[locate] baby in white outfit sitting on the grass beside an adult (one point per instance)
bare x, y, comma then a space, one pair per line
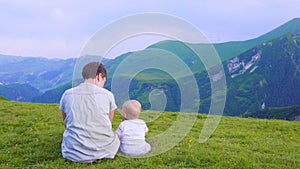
132, 131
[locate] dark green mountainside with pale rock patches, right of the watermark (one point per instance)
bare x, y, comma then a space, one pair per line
265, 76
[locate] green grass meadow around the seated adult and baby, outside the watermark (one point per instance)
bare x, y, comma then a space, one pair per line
31, 135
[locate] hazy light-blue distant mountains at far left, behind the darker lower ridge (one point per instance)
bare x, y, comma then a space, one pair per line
41, 73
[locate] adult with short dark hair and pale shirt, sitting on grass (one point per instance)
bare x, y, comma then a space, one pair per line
87, 112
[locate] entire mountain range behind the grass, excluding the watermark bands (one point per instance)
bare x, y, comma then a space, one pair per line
37, 79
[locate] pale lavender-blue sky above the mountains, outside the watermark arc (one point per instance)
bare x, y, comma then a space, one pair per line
61, 29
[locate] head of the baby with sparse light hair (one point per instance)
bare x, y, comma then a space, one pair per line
131, 109
